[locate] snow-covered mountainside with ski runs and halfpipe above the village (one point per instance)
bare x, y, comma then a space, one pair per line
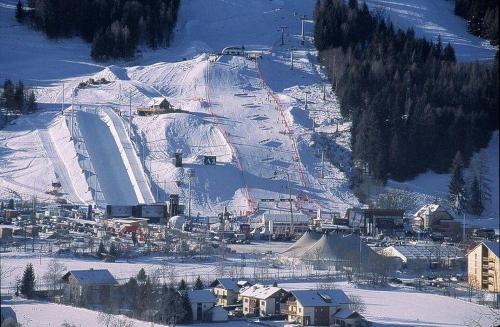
251, 115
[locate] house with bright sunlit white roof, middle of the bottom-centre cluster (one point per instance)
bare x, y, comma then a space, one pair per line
259, 300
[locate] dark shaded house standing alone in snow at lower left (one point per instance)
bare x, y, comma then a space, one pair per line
91, 287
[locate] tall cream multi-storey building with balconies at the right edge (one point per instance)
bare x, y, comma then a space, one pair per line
483, 266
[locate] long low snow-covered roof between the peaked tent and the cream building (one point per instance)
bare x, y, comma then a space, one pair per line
426, 251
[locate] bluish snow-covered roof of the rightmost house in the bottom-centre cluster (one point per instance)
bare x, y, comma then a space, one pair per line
320, 298
